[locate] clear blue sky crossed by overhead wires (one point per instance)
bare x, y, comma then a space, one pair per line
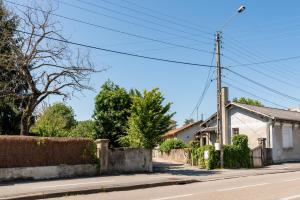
266, 30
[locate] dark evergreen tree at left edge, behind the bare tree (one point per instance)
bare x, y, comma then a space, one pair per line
10, 115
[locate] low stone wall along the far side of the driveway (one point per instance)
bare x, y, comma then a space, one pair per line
176, 155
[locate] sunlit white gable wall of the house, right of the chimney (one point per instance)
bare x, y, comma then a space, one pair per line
250, 124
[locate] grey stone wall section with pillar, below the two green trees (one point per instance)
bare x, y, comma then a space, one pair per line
123, 160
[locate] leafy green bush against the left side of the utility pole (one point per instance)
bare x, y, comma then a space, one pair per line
198, 156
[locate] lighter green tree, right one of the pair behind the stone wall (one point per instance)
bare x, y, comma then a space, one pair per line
149, 120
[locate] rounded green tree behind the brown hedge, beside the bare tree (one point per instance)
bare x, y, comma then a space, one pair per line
56, 120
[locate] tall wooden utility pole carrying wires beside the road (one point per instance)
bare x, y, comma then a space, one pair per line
219, 103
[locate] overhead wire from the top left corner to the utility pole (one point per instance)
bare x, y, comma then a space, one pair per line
114, 30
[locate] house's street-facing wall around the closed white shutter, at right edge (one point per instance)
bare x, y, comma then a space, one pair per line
283, 155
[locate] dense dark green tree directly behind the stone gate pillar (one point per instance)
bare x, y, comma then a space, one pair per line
112, 110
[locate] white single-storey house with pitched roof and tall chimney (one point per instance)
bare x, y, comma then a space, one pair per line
280, 128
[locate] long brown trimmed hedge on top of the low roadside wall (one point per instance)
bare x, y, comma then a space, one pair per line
27, 151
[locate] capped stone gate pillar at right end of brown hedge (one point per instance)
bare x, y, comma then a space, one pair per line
102, 154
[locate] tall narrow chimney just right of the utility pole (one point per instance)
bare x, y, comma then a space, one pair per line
225, 127
